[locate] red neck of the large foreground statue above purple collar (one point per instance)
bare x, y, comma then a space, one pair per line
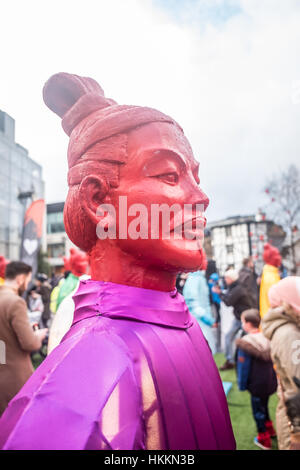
110, 264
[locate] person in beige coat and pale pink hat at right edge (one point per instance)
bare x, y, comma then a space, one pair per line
281, 325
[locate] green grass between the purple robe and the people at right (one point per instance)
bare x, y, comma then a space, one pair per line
243, 423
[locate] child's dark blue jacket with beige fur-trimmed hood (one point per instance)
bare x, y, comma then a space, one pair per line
255, 371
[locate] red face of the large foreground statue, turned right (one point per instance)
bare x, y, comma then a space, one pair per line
161, 169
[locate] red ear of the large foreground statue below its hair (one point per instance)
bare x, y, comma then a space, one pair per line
93, 190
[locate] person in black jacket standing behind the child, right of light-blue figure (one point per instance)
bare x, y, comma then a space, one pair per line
238, 298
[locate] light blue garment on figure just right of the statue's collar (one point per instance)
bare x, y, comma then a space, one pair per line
196, 294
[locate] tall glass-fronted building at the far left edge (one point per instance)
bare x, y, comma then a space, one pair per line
18, 174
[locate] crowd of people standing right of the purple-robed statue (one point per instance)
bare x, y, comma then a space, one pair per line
262, 342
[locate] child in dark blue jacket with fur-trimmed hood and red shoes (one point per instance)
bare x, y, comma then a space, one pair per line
256, 374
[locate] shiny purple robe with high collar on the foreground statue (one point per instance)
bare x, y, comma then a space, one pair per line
133, 372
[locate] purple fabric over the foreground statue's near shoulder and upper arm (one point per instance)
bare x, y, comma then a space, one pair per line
66, 403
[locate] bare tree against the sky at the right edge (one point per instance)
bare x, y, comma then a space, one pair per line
283, 191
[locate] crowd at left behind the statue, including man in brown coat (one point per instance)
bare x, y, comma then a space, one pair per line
27, 308
